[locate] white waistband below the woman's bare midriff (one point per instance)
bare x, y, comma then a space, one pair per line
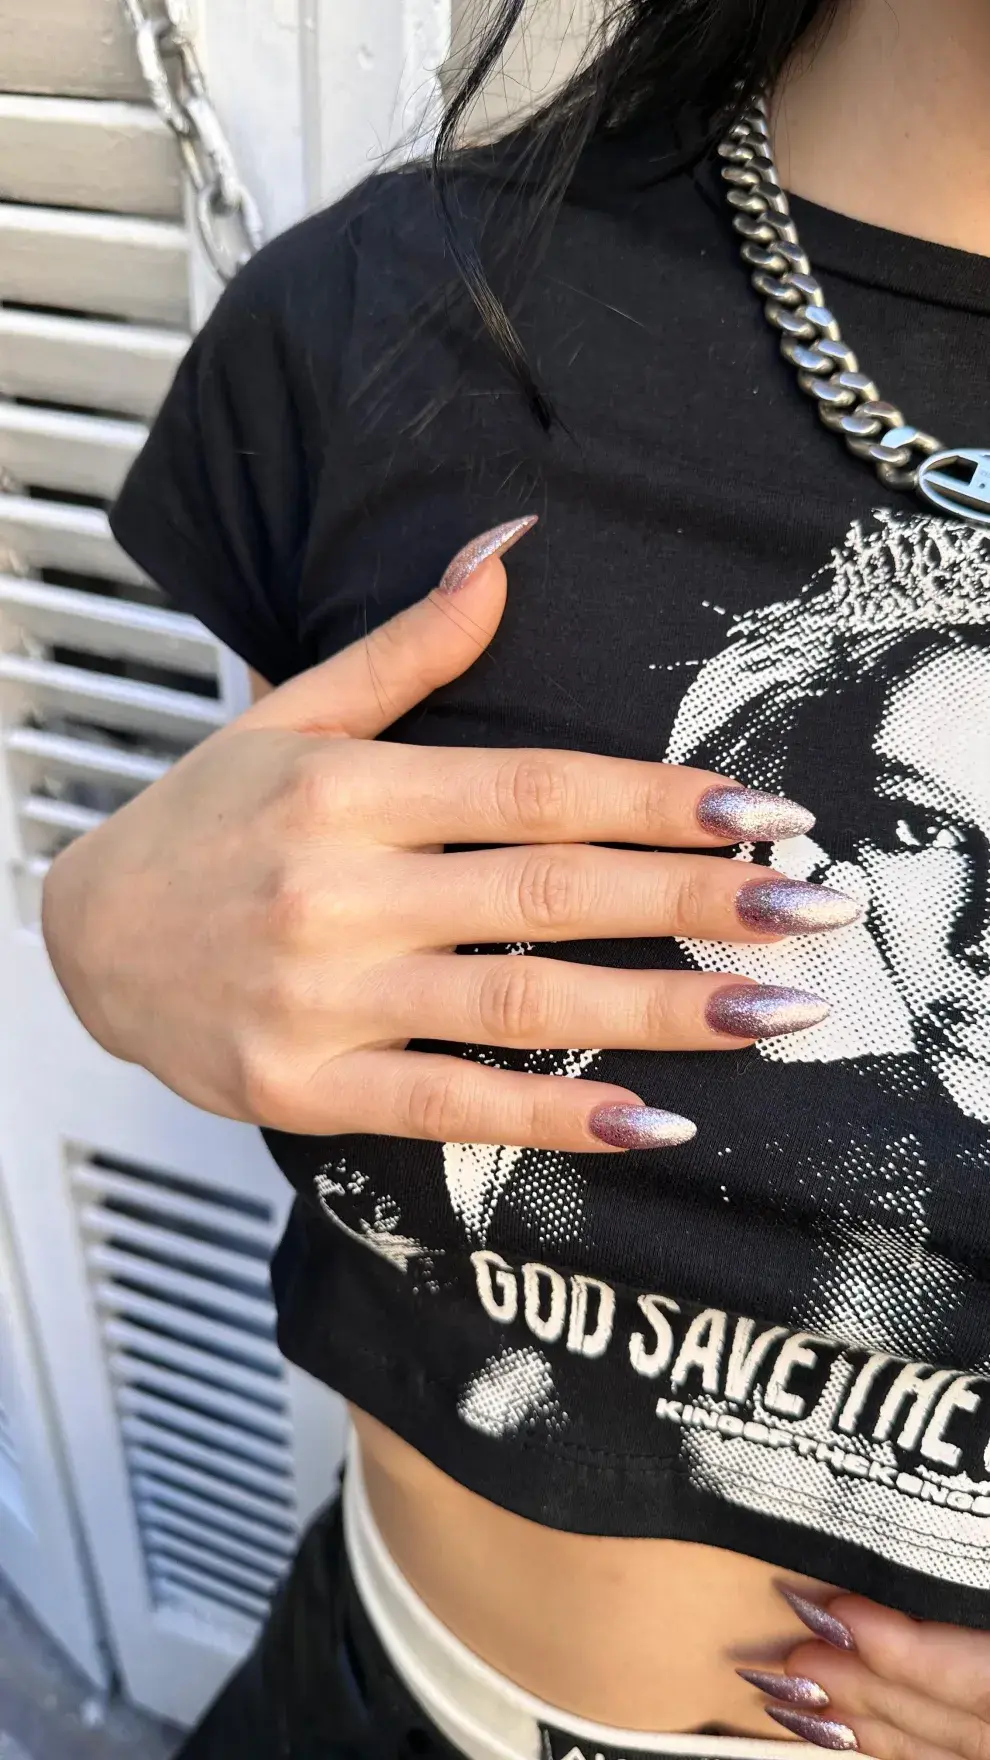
477, 1708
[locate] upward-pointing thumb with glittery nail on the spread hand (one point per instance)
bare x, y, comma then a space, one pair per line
373, 684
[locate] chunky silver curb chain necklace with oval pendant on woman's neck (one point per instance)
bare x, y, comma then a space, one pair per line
829, 372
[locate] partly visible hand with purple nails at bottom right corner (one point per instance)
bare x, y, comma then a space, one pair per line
883, 1685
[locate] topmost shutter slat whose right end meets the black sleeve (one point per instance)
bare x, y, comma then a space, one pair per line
92, 365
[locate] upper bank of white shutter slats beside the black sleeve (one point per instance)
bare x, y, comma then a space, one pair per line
101, 687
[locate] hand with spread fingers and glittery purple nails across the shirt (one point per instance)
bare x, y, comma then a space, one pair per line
269, 925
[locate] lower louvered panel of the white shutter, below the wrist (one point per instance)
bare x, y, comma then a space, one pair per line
181, 1282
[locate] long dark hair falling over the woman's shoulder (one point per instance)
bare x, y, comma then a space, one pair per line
679, 66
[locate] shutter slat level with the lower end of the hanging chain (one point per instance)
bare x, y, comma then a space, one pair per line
96, 263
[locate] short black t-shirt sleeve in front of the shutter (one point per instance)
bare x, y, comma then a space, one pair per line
218, 506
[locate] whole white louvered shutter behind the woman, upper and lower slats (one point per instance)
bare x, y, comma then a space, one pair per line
140, 1228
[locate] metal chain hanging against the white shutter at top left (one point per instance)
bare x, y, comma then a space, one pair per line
226, 216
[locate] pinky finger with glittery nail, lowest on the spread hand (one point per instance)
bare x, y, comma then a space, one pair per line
413, 1094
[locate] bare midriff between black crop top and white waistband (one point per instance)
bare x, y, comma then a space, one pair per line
639, 1634
